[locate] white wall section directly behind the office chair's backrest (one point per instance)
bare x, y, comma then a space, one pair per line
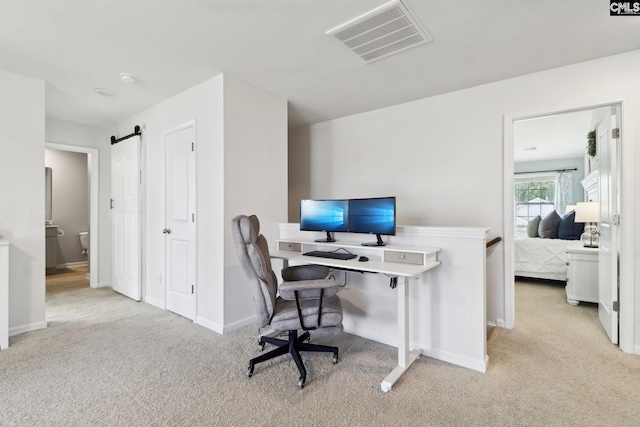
255, 178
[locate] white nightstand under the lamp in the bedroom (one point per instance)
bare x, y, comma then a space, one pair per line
582, 274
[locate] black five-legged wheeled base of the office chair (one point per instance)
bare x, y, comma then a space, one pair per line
293, 346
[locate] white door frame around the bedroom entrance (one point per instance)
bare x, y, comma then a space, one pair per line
626, 193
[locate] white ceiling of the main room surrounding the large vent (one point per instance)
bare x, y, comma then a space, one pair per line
281, 47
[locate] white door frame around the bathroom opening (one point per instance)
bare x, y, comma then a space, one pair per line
94, 197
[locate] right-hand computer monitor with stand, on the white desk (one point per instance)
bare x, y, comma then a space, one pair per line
373, 216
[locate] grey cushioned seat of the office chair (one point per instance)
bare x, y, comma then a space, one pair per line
286, 318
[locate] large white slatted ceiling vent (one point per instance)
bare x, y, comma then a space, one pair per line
389, 29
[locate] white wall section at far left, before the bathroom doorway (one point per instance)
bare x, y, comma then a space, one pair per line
22, 135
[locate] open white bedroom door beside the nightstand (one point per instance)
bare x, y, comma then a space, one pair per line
608, 257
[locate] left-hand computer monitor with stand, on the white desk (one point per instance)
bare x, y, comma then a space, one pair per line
324, 215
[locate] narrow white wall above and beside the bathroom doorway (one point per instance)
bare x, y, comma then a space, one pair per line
68, 133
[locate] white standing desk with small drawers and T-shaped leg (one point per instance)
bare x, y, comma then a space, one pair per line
408, 262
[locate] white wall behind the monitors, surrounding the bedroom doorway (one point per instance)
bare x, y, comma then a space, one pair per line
443, 156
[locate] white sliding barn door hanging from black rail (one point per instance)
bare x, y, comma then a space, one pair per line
125, 218
